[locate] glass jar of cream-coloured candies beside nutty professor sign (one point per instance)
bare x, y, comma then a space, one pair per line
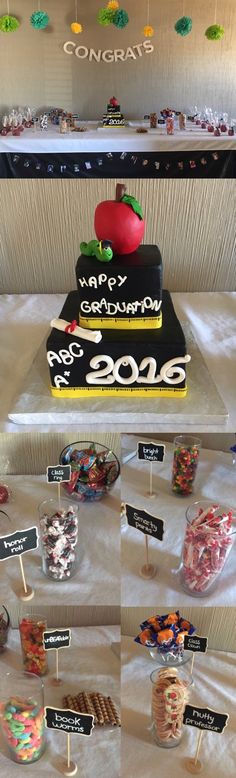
169, 697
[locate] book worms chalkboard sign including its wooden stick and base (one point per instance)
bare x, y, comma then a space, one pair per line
70, 722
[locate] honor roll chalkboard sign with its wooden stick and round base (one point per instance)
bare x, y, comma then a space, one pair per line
16, 544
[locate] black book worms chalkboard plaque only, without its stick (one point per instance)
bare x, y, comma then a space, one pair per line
69, 721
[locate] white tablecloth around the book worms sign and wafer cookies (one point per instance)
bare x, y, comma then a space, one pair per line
90, 664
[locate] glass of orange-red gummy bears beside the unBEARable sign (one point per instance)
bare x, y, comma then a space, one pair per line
31, 629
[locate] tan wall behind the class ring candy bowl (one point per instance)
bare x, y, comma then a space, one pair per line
29, 454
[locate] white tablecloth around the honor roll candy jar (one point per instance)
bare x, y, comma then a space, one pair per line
99, 538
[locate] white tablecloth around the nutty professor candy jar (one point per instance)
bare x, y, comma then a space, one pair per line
213, 674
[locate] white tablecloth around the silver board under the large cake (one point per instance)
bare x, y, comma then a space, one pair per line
24, 322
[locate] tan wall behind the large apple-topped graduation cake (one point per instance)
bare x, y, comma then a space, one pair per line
43, 222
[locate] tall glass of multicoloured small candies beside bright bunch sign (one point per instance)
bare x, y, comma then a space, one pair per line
186, 455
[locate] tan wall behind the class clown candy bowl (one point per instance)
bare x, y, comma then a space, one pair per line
218, 624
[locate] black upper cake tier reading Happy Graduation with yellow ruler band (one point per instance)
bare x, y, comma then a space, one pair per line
128, 296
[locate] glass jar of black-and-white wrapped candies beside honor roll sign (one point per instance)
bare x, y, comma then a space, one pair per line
59, 526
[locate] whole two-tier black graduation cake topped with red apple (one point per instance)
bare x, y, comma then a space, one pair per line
118, 334
